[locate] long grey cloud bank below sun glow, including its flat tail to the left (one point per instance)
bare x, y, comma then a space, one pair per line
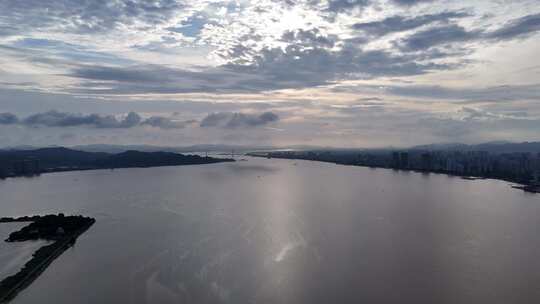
307, 61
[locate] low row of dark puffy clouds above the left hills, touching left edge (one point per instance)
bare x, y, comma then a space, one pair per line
63, 119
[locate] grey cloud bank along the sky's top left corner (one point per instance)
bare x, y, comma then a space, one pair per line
86, 16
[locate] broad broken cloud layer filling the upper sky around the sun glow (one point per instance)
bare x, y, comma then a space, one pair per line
260, 53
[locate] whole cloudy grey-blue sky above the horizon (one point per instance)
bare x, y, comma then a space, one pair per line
341, 73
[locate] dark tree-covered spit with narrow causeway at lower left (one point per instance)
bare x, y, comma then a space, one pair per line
62, 230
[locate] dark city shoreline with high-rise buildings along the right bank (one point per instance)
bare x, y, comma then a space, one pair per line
518, 167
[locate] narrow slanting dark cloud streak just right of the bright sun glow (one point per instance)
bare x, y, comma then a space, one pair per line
400, 23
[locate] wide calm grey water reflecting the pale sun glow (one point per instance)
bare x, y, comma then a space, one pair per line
284, 231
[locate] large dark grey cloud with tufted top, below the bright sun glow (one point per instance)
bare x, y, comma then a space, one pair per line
303, 63
